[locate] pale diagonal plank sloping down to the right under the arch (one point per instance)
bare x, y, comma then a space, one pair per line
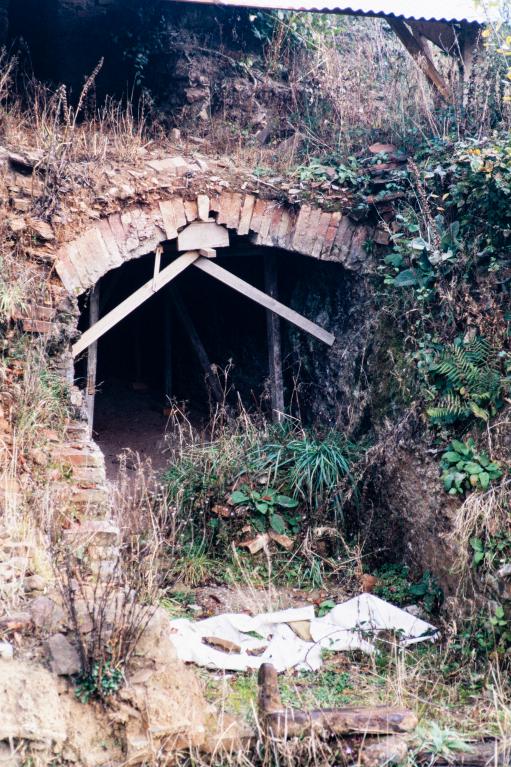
236, 283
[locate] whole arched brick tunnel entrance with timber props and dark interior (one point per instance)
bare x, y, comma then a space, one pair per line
157, 325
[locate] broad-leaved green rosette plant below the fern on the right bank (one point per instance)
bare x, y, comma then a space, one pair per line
464, 468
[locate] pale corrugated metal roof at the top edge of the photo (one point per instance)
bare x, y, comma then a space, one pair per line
428, 10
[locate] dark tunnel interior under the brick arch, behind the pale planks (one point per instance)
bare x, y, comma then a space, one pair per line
148, 359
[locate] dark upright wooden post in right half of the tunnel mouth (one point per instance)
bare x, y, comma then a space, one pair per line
274, 341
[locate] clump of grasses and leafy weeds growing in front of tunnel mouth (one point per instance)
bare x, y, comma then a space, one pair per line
250, 477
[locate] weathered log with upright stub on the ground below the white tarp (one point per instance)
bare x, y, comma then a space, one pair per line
290, 722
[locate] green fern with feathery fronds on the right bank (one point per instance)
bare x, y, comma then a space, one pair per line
467, 381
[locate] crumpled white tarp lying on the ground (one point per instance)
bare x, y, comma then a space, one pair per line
270, 638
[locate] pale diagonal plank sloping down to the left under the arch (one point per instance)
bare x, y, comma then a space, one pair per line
135, 300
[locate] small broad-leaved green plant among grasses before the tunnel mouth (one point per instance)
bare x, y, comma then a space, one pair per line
264, 507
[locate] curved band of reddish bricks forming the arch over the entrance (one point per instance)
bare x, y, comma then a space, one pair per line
138, 230
